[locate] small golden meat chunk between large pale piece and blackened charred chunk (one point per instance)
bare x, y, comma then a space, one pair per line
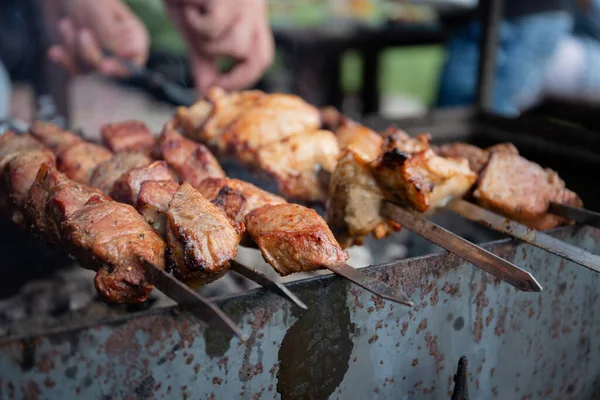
360, 139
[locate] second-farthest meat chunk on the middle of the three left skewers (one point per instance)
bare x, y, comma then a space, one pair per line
79, 161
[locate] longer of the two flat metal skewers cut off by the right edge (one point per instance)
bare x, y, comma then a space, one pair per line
531, 236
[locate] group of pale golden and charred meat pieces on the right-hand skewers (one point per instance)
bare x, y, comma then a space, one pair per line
323, 156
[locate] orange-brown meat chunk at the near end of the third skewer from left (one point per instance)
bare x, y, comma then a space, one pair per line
293, 238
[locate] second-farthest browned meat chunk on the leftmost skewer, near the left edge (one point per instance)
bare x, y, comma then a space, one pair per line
20, 175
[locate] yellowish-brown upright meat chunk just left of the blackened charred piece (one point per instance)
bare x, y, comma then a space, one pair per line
353, 208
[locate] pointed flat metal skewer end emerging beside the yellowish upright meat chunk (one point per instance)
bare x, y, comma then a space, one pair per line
481, 258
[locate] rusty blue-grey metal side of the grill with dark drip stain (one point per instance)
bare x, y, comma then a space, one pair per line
348, 344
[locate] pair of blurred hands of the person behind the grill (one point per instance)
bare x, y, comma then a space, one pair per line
237, 29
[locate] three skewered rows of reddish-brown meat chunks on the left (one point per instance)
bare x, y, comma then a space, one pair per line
54, 199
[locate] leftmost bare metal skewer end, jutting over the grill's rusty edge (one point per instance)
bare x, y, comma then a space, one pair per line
201, 307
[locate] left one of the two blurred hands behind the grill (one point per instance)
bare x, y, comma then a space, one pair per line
95, 27
